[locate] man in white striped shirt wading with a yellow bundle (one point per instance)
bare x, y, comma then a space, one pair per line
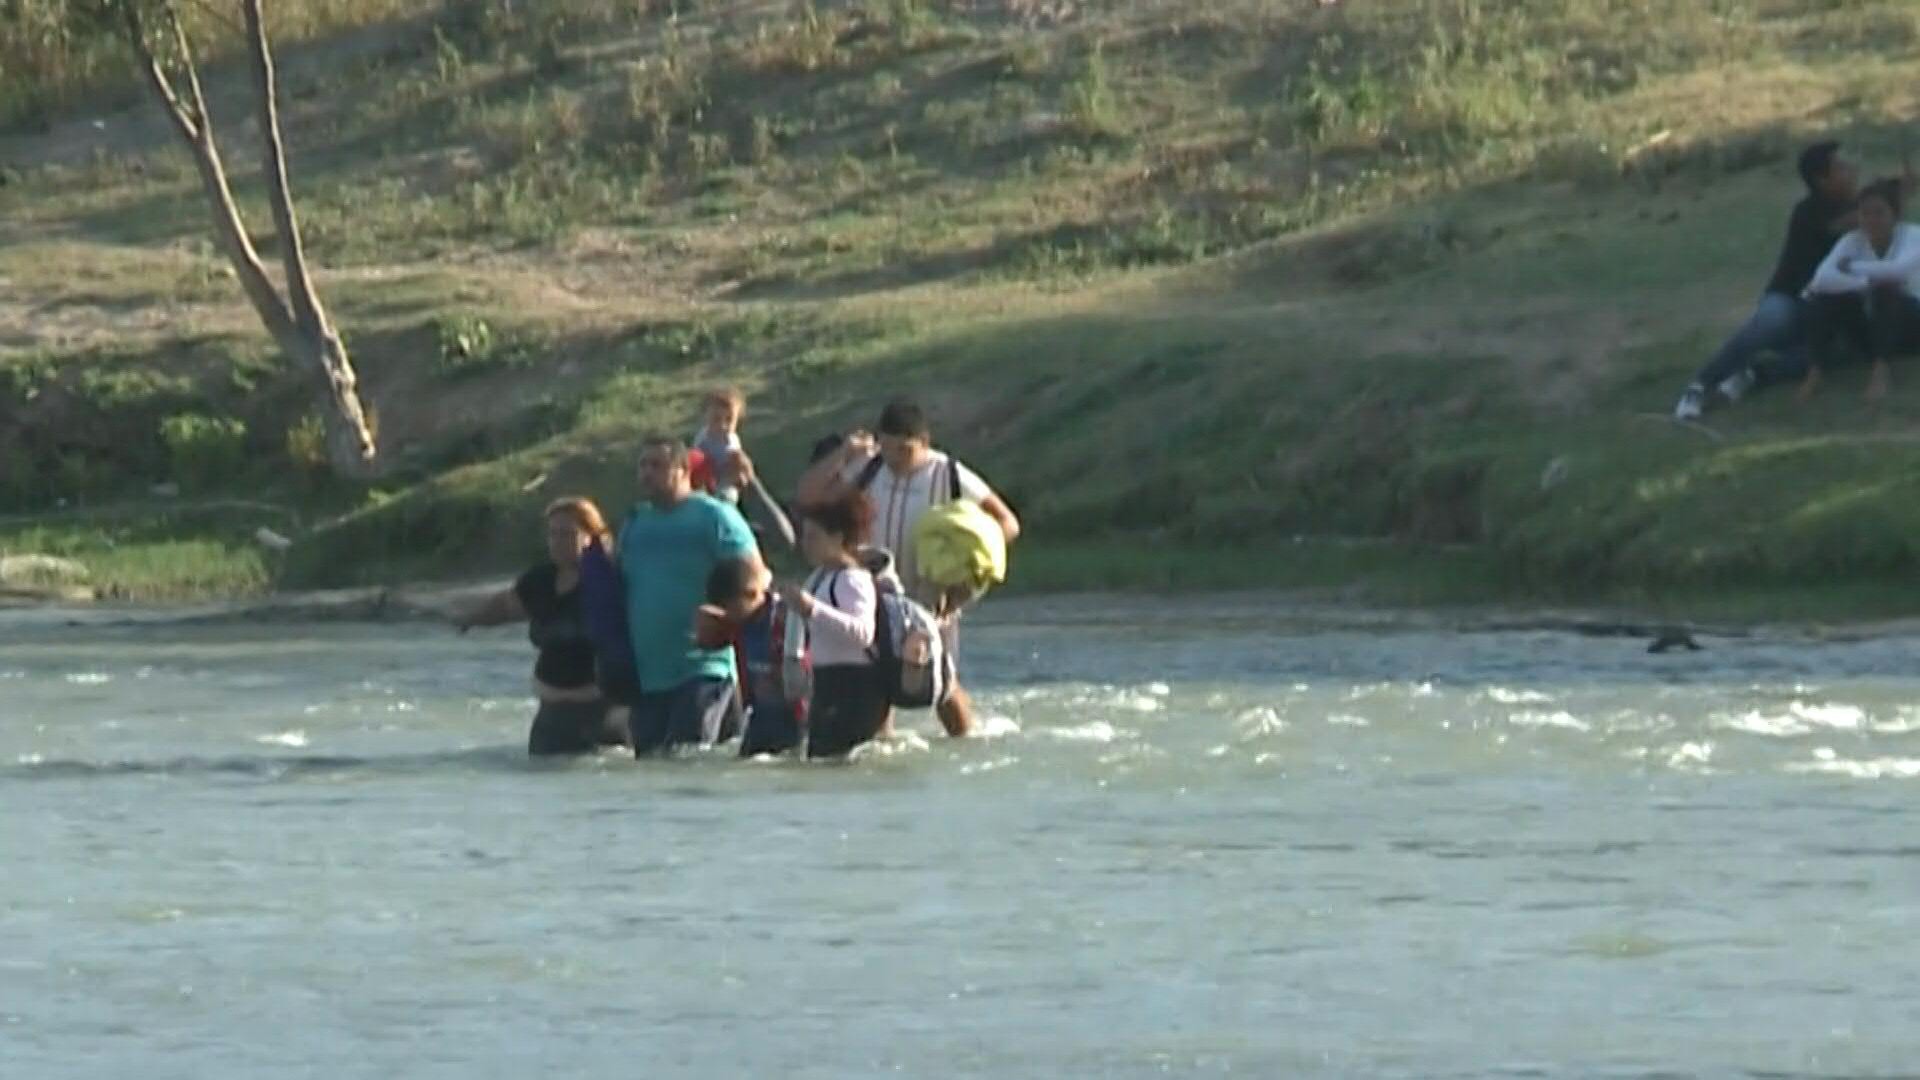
905, 478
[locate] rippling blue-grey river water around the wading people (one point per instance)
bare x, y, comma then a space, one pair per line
1214, 841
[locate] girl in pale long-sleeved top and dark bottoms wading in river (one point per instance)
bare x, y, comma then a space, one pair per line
842, 610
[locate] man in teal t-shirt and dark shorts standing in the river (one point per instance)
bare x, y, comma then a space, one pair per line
669, 547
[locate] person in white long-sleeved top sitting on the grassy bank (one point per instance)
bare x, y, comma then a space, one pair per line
1869, 289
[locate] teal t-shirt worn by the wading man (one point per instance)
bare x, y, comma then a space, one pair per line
665, 558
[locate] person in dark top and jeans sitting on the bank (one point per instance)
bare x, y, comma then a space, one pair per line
1779, 324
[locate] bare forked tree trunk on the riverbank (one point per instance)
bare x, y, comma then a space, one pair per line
299, 322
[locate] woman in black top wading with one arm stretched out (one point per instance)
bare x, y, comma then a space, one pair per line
573, 714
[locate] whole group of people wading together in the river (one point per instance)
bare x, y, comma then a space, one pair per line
675, 633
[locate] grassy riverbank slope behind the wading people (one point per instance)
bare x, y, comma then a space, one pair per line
1188, 282
